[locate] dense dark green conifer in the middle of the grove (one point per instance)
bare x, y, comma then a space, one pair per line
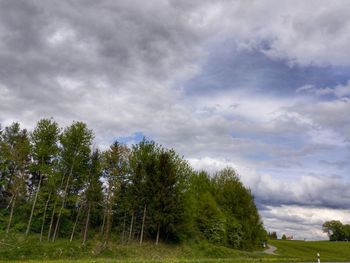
167, 187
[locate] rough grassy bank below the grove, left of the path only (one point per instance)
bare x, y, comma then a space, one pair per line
21, 248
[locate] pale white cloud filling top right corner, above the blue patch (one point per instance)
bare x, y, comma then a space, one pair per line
301, 32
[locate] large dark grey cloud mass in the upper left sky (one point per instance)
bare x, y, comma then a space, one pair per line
100, 62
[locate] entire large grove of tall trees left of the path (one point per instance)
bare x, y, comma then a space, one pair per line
54, 184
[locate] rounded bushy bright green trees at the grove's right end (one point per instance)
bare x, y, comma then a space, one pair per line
224, 211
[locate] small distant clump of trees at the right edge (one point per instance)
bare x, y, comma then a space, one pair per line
336, 230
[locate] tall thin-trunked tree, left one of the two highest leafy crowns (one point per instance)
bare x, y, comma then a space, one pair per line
44, 152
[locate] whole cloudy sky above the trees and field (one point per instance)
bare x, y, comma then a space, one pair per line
261, 86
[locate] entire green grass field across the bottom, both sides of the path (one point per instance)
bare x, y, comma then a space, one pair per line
29, 250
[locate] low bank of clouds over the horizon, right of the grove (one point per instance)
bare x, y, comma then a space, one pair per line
296, 206
